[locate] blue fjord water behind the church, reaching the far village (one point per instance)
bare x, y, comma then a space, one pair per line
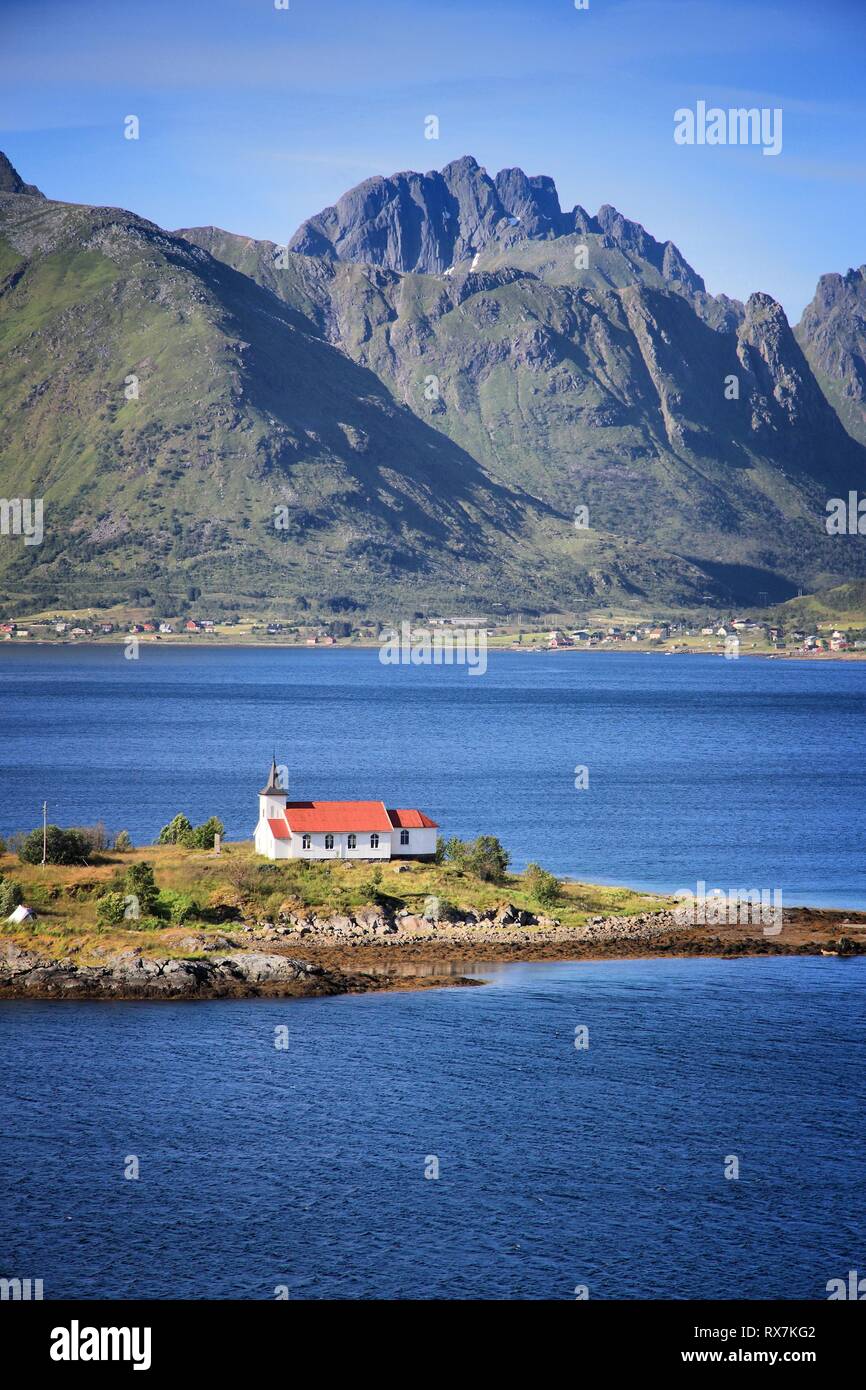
736, 774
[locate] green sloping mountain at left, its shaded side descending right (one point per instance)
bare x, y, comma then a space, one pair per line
191, 433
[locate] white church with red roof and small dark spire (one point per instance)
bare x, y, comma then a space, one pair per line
340, 829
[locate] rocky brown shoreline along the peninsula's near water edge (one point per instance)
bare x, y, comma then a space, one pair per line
320, 965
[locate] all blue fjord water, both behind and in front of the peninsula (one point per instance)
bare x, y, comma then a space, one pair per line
304, 1168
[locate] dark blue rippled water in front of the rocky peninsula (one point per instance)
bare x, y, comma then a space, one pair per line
304, 1170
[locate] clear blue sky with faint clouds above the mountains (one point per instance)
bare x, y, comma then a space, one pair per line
254, 119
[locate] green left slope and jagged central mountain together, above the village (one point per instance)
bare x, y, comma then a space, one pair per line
311, 430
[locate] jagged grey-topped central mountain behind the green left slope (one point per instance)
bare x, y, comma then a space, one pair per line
587, 366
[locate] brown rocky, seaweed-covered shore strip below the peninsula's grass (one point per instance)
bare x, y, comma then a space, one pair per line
308, 954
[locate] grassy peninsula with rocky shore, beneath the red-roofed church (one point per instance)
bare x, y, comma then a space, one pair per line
234, 924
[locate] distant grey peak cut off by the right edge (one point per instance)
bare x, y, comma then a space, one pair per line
833, 337
